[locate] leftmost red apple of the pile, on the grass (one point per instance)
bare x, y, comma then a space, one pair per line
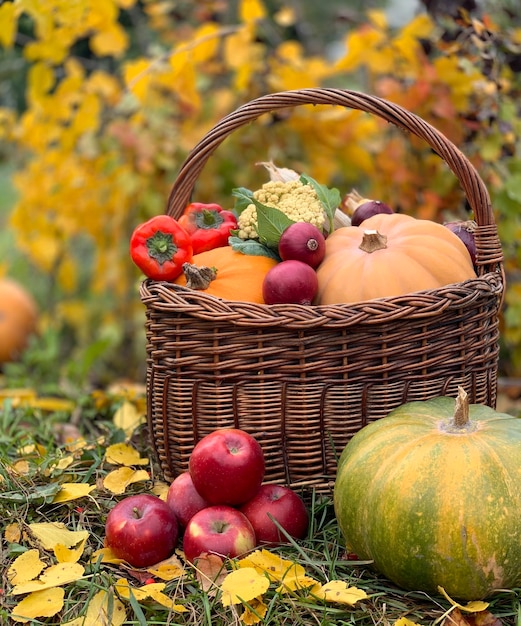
142, 530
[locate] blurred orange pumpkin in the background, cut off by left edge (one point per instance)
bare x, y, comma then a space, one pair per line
18, 318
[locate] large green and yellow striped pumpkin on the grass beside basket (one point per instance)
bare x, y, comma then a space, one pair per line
434, 499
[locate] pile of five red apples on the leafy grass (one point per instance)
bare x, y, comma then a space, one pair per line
219, 506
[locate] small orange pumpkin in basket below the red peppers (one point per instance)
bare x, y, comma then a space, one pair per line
237, 276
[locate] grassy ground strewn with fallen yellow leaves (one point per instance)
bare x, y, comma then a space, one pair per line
65, 464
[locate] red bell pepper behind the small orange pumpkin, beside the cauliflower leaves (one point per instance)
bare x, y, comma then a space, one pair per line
208, 225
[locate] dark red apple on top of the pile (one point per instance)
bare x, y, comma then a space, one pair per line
227, 466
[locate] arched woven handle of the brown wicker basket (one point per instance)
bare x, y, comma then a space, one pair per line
488, 246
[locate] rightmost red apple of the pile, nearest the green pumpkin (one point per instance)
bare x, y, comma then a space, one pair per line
282, 504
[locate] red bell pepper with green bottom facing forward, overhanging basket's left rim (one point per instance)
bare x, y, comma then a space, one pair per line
159, 247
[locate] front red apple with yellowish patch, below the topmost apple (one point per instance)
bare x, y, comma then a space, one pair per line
220, 530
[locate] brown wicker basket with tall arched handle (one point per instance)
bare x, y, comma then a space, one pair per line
304, 379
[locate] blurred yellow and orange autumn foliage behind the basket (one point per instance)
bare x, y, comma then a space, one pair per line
101, 101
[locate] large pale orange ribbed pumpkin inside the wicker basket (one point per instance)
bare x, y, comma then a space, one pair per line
390, 255
